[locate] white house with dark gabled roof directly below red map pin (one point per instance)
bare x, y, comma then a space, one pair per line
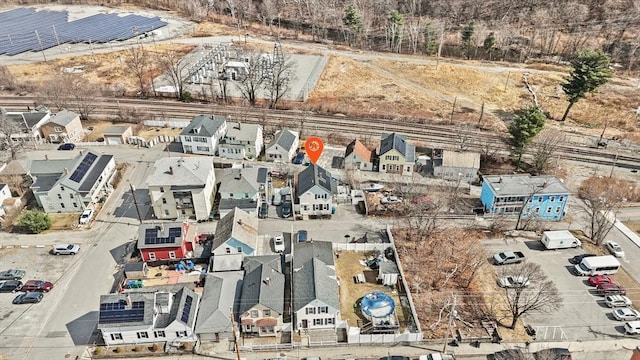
315, 189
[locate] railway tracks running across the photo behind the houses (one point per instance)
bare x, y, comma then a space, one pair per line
433, 134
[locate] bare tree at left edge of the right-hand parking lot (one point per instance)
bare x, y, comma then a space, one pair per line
540, 295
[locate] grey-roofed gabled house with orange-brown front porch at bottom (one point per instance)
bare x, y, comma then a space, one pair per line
262, 297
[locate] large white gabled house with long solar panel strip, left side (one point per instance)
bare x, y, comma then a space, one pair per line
72, 185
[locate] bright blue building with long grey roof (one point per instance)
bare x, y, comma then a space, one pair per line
543, 197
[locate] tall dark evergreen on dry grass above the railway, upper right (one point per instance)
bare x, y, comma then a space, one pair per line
590, 70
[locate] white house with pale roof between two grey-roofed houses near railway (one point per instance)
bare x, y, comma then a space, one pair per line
242, 141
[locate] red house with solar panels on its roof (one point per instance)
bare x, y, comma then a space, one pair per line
165, 241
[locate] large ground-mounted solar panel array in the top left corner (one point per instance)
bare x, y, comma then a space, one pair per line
26, 29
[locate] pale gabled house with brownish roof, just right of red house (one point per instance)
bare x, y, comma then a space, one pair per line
236, 233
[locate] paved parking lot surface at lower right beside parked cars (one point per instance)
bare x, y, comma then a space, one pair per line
583, 315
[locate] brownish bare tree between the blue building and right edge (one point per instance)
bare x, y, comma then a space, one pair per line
602, 197
